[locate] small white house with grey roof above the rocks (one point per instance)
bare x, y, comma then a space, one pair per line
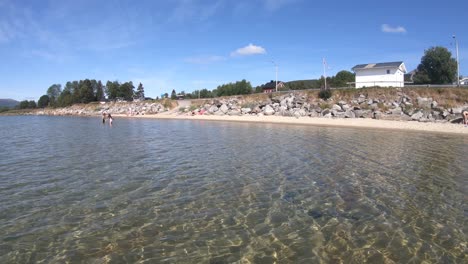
386, 74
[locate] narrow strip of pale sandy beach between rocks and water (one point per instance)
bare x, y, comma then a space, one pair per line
316, 121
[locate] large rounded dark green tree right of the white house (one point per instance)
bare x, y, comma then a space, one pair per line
437, 67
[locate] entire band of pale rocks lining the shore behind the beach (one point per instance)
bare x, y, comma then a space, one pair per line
399, 107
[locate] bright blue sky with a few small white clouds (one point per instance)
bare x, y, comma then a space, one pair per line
191, 44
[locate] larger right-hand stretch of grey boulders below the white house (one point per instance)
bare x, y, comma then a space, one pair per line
298, 105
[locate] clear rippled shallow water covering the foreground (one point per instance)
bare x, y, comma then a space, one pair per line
161, 191
